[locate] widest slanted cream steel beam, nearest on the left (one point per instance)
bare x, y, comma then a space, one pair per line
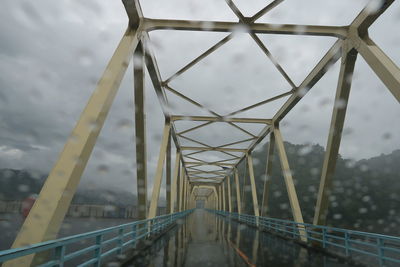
47, 214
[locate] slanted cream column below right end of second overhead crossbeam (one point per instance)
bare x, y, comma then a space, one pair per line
294, 201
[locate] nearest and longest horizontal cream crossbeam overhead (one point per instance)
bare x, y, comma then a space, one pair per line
225, 26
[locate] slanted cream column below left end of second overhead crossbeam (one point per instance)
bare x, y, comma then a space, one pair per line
157, 179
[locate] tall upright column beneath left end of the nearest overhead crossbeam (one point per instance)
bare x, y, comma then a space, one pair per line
140, 132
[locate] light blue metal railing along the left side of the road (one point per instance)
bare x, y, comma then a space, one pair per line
117, 238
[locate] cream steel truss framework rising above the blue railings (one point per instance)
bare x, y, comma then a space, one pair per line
194, 173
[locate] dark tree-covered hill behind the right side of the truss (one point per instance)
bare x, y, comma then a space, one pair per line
366, 193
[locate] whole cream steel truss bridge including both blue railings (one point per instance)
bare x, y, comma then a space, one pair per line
188, 182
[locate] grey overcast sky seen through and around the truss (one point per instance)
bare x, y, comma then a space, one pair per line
53, 52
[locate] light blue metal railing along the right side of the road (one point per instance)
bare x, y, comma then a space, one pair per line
361, 246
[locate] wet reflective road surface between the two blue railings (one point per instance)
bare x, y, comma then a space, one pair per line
205, 239
